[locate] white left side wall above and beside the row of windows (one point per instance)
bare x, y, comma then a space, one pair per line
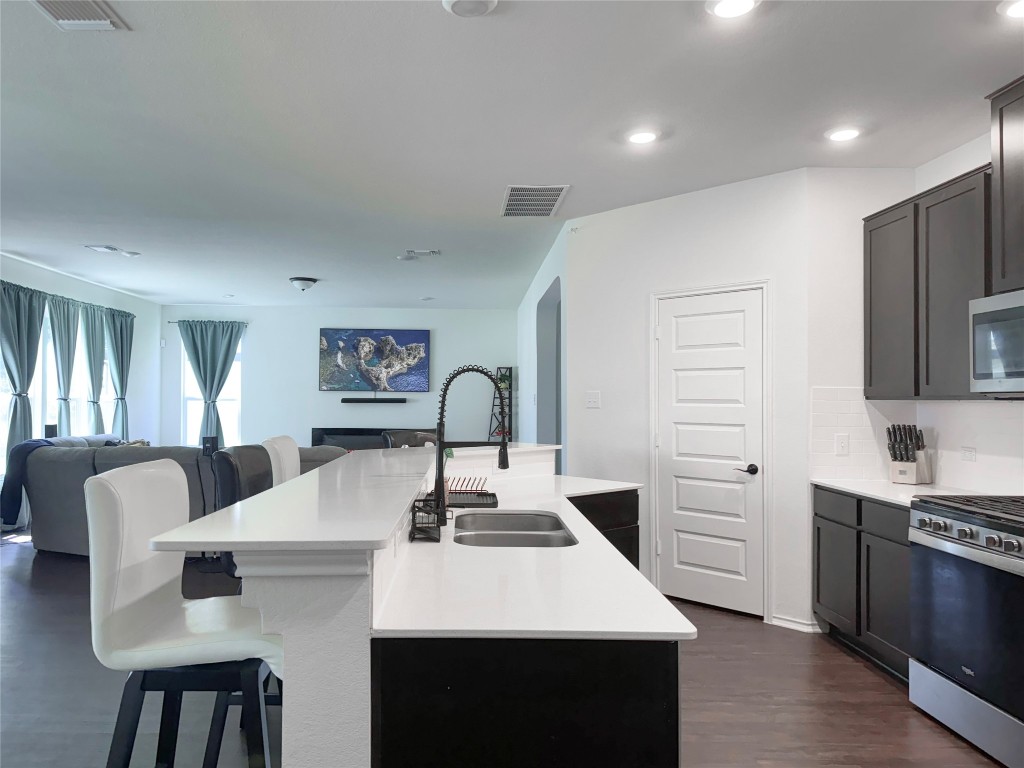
144, 374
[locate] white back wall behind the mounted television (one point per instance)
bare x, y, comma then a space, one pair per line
280, 354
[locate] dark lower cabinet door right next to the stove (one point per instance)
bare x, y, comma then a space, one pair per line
885, 601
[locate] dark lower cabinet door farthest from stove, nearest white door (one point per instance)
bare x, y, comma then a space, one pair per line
836, 575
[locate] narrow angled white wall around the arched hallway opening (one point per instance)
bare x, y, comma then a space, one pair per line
552, 269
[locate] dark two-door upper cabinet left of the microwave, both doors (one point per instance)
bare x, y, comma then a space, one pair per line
924, 262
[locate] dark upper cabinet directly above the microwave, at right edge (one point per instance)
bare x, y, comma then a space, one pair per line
1008, 188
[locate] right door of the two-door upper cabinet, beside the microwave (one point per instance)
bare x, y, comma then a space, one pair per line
953, 254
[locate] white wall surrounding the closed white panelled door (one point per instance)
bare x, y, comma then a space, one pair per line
750, 231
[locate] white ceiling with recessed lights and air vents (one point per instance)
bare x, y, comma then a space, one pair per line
238, 144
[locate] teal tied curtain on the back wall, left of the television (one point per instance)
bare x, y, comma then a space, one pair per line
211, 347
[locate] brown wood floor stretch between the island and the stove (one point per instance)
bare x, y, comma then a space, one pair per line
771, 698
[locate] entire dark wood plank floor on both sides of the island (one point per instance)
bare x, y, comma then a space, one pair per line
754, 696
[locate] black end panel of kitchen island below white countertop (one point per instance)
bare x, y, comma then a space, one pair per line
490, 704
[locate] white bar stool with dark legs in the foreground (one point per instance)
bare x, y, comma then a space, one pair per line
143, 625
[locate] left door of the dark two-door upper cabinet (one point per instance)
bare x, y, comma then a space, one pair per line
890, 305
